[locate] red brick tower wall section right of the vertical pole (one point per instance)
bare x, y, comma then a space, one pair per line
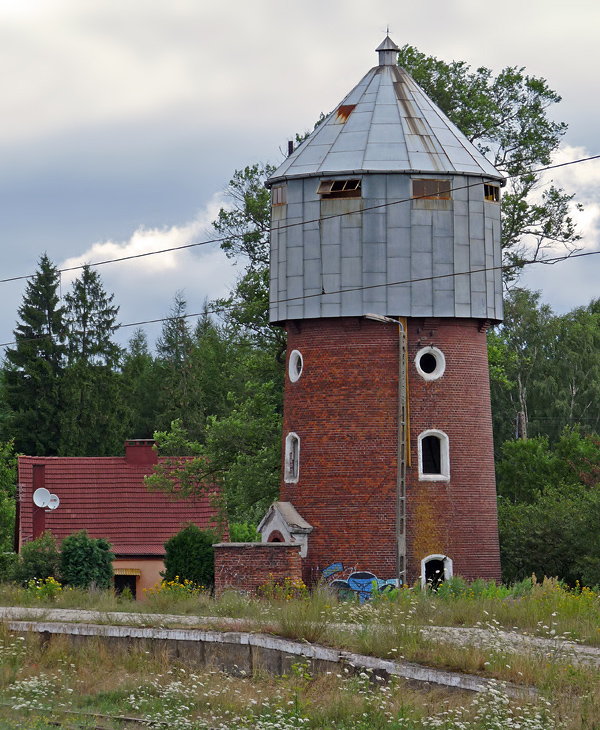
459, 517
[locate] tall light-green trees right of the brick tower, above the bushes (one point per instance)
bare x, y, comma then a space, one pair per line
546, 366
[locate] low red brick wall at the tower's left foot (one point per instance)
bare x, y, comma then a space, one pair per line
247, 566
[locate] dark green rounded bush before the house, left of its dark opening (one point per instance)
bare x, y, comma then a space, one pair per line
86, 562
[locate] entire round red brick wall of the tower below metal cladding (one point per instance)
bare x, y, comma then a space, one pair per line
344, 409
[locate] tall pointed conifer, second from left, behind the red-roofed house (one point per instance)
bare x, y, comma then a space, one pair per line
92, 422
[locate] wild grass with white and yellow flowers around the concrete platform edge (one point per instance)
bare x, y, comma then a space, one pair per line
61, 683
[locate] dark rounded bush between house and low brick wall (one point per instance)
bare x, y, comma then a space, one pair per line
189, 555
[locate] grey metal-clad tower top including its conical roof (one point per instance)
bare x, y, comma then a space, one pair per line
387, 208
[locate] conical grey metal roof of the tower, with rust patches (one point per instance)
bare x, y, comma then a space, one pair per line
385, 124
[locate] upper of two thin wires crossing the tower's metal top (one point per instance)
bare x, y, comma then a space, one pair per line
290, 225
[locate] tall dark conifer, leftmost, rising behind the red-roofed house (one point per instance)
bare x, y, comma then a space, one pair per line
33, 368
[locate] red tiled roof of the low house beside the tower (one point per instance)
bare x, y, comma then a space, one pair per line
107, 497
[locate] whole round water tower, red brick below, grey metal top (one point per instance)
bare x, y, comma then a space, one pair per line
386, 209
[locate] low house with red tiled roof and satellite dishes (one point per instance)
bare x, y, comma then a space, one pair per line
107, 497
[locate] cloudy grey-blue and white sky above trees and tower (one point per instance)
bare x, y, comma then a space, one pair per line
122, 122
